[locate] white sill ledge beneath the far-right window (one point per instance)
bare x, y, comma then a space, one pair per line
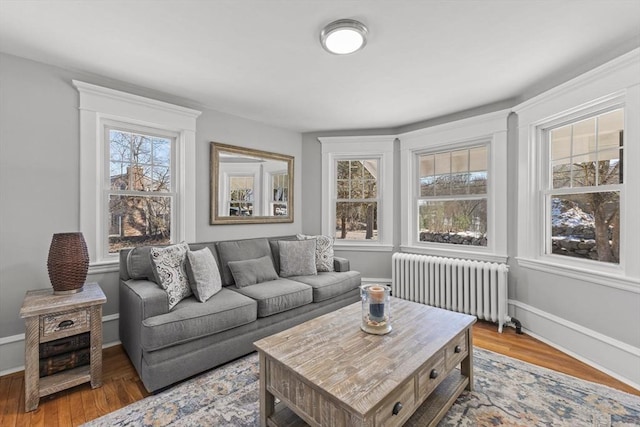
612, 280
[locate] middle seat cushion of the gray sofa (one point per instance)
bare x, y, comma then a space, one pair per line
277, 296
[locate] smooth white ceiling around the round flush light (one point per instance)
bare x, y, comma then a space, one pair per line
261, 59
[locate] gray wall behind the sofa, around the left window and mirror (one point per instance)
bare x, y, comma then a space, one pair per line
39, 182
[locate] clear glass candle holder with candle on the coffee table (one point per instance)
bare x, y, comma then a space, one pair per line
376, 309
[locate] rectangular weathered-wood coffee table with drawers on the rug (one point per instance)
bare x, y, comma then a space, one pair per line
328, 372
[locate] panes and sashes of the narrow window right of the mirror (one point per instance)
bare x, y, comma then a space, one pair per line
356, 205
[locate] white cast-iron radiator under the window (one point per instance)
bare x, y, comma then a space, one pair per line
472, 287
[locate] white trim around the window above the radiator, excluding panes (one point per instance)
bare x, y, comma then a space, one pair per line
488, 129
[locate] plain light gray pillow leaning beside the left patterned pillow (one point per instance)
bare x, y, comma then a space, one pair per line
203, 274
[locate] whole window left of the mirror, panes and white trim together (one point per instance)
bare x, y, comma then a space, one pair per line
137, 172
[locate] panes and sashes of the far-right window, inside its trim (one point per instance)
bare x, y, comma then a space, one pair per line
582, 196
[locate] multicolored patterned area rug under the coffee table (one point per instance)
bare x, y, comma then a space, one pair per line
507, 392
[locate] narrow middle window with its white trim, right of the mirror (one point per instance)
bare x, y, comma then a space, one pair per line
357, 197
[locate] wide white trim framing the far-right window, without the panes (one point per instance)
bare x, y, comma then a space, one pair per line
617, 82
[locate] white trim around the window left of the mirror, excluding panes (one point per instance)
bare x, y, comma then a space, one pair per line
99, 105
